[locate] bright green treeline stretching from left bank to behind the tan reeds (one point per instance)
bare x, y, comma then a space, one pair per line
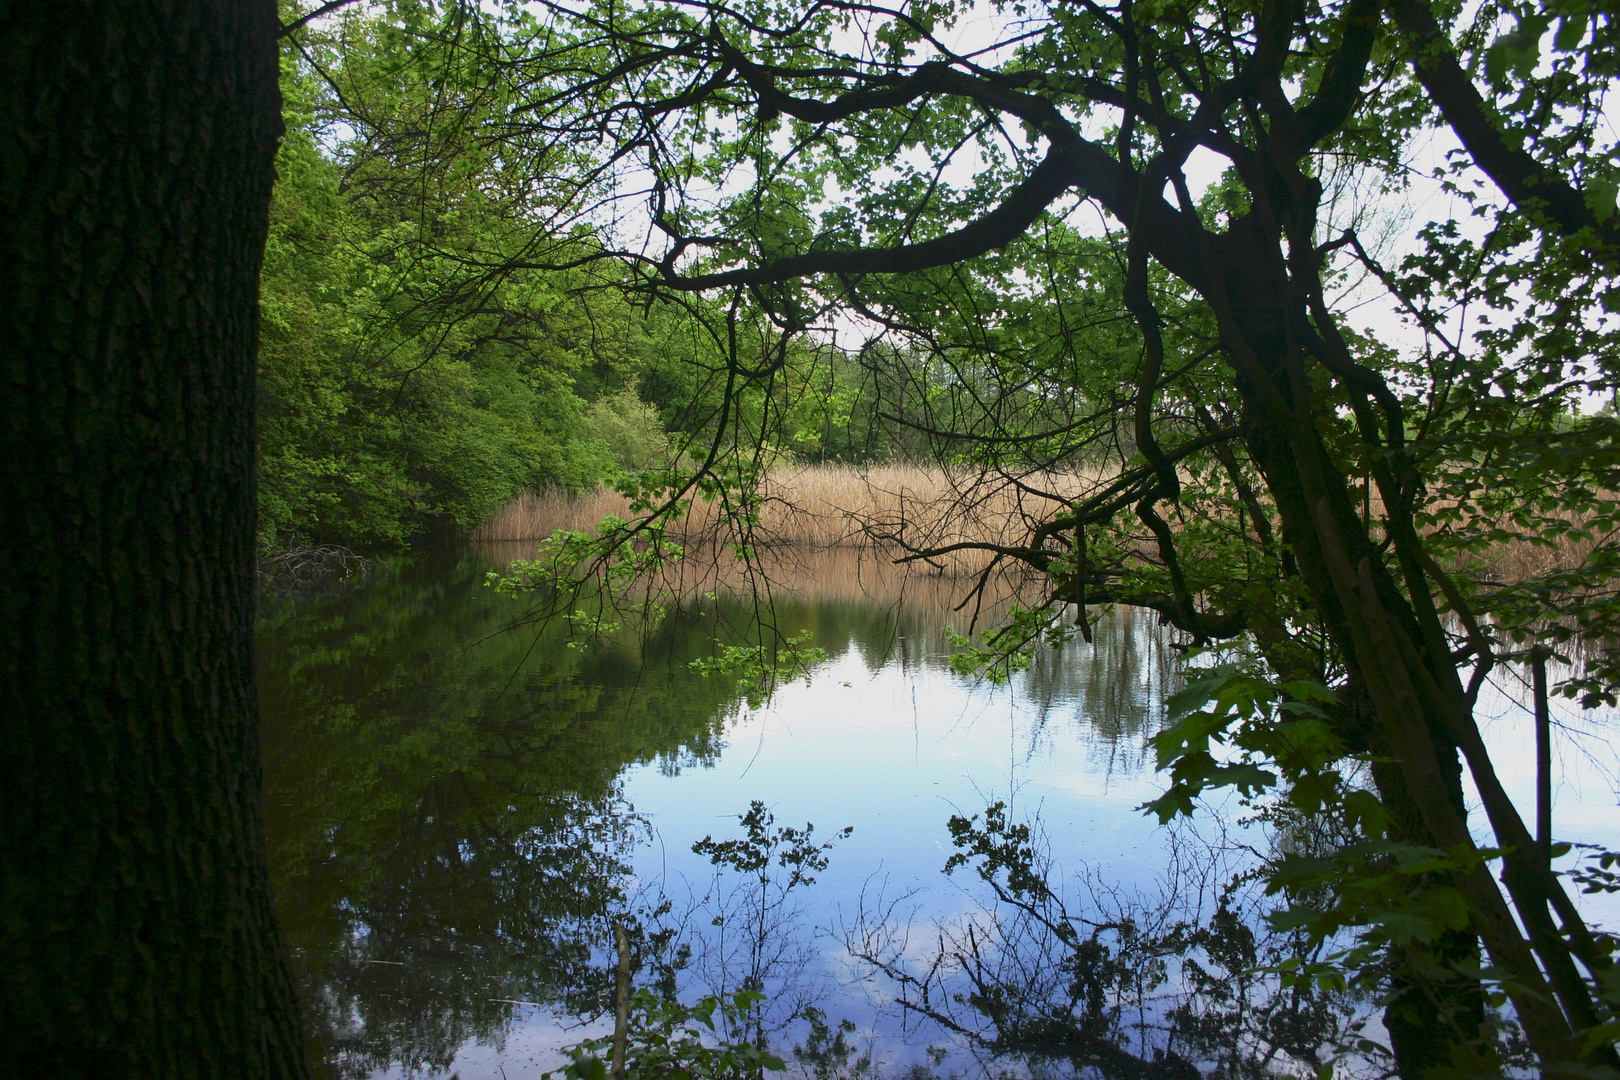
416, 375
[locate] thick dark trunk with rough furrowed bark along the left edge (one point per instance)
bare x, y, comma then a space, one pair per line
135, 181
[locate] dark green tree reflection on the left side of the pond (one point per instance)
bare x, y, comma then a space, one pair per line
445, 820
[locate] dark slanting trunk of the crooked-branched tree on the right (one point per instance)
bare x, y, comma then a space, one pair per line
1413, 692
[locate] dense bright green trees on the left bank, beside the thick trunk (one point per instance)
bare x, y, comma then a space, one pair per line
401, 394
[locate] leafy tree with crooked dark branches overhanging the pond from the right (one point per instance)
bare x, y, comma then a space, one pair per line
1130, 237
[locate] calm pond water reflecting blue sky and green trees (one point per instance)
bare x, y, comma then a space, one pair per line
458, 809
